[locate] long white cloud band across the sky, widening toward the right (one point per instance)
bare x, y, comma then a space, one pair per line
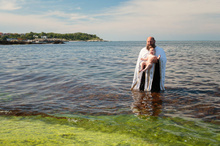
132, 20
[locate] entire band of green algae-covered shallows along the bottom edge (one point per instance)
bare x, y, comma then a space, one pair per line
105, 130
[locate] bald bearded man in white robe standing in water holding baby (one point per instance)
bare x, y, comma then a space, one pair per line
153, 79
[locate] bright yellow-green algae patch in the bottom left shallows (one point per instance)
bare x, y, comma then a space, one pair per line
50, 131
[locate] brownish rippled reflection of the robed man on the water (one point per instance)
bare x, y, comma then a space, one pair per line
146, 103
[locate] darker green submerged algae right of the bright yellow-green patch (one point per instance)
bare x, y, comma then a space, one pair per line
165, 131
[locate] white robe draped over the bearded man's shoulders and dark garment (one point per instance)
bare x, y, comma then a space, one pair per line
149, 73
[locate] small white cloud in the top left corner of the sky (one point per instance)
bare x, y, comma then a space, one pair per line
9, 5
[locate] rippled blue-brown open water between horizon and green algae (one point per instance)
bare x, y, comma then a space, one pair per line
94, 78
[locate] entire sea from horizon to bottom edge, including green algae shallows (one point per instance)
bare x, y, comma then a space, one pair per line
86, 85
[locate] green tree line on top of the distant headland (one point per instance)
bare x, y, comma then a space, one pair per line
68, 36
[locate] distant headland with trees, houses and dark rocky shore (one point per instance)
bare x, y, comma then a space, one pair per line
46, 38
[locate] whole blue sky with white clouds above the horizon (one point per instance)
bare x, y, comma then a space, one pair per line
115, 20
